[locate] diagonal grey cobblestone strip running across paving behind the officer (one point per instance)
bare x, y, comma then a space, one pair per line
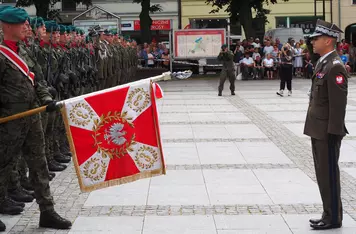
295, 148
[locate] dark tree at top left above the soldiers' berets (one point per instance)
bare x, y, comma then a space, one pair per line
44, 8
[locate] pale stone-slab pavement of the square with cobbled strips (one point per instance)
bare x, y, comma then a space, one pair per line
235, 165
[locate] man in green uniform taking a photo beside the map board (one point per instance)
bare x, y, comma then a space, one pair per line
227, 59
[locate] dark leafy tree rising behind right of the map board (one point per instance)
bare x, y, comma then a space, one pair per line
241, 10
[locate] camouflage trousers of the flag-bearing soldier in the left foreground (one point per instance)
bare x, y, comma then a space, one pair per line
25, 134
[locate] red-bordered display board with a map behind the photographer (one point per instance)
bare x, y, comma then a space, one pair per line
198, 43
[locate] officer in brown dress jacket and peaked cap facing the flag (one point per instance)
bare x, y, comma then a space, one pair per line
325, 122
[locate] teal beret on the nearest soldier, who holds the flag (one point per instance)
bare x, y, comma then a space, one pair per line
13, 15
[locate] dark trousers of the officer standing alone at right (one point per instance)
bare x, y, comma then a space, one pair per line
326, 156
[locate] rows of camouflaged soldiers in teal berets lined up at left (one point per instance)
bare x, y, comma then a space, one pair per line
42, 62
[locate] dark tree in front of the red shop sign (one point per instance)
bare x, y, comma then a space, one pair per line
145, 18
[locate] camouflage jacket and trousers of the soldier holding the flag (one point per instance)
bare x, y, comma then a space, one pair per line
17, 94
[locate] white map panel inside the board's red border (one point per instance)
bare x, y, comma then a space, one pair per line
195, 46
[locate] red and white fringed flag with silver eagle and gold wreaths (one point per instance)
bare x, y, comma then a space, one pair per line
114, 135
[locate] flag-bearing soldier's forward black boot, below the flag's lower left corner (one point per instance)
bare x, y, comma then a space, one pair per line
50, 219
